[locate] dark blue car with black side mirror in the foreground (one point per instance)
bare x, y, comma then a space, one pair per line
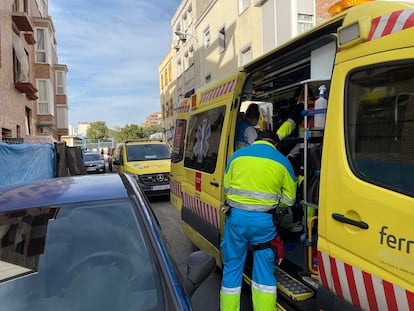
89, 243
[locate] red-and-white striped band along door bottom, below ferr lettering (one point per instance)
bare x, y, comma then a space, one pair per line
361, 288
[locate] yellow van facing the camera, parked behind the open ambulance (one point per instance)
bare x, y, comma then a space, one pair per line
148, 161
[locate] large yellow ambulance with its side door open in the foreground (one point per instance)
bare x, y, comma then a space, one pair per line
349, 242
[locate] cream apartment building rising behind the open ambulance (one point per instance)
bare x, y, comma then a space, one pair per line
213, 37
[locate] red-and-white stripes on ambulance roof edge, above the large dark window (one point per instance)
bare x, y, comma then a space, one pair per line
391, 23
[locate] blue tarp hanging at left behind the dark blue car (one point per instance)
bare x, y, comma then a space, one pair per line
26, 162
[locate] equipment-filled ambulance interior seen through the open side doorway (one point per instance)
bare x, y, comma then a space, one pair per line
275, 83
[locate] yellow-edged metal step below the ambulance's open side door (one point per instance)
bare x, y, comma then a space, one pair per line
291, 287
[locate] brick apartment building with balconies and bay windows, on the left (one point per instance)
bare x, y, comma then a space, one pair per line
33, 100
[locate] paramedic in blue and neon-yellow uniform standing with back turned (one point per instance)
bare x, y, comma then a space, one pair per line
258, 178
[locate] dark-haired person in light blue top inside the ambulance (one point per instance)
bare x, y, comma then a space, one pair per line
246, 132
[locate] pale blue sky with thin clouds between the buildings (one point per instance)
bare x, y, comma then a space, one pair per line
112, 49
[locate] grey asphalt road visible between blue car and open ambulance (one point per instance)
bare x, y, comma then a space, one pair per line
206, 298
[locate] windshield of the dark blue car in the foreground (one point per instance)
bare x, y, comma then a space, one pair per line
93, 256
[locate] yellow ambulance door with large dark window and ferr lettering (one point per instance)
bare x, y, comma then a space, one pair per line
366, 197
